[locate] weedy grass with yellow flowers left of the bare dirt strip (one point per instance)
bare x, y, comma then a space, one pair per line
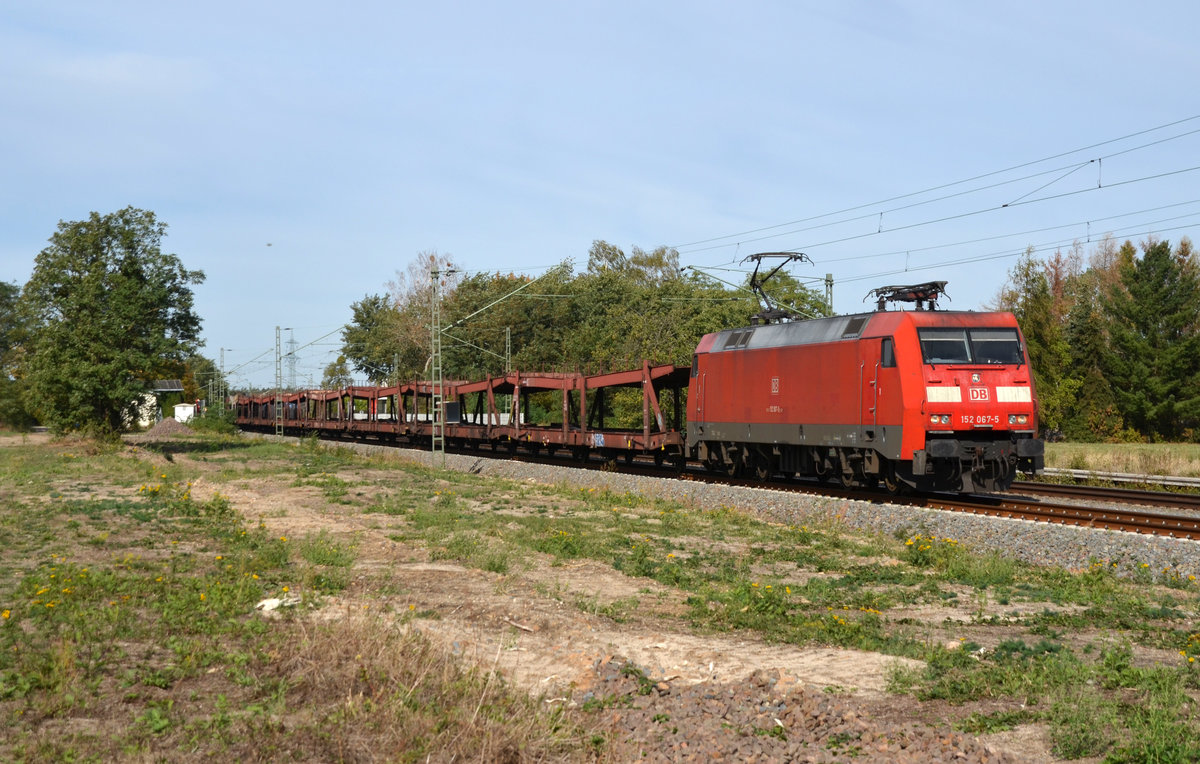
128, 631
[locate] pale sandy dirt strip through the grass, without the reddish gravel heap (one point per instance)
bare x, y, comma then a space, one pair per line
541, 624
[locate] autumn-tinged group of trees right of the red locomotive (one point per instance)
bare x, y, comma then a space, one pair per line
1114, 339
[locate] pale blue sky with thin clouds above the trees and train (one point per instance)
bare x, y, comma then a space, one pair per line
511, 136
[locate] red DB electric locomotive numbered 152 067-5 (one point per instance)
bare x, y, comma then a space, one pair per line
931, 400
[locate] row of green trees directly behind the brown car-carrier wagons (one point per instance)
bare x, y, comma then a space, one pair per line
622, 309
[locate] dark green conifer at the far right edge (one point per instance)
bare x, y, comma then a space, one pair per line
1154, 362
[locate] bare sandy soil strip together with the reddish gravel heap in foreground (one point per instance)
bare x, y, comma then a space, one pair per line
560, 630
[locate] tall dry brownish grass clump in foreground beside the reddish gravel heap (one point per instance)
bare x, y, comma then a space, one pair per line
377, 691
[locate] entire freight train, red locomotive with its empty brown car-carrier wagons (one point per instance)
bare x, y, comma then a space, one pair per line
923, 400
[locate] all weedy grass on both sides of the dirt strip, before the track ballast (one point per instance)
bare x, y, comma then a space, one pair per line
130, 601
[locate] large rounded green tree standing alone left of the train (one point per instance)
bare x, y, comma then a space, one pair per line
109, 312
